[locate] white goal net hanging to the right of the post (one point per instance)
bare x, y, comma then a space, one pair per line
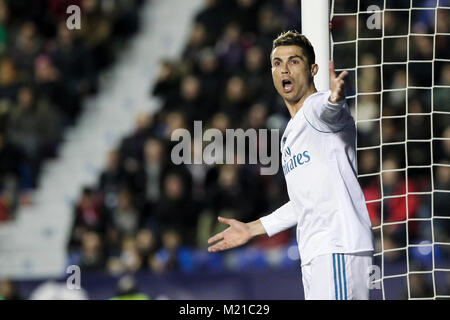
397, 53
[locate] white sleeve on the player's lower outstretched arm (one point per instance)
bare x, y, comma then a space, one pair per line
281, 219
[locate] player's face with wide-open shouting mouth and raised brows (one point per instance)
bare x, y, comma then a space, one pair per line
292, 75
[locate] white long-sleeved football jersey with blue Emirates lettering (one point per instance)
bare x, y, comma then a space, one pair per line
326, 200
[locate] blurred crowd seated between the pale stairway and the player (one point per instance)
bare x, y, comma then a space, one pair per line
145, 212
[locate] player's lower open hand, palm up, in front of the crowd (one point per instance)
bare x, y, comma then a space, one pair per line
237, 234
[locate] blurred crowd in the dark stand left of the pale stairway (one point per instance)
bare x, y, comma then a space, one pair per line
46, 70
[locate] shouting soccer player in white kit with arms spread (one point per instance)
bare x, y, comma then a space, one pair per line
326, 201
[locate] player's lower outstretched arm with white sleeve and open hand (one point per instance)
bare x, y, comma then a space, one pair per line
239, 233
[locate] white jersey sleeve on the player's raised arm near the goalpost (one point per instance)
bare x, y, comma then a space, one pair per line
328, 117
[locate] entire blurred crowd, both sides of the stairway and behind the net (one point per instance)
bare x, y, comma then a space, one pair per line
145, 213
